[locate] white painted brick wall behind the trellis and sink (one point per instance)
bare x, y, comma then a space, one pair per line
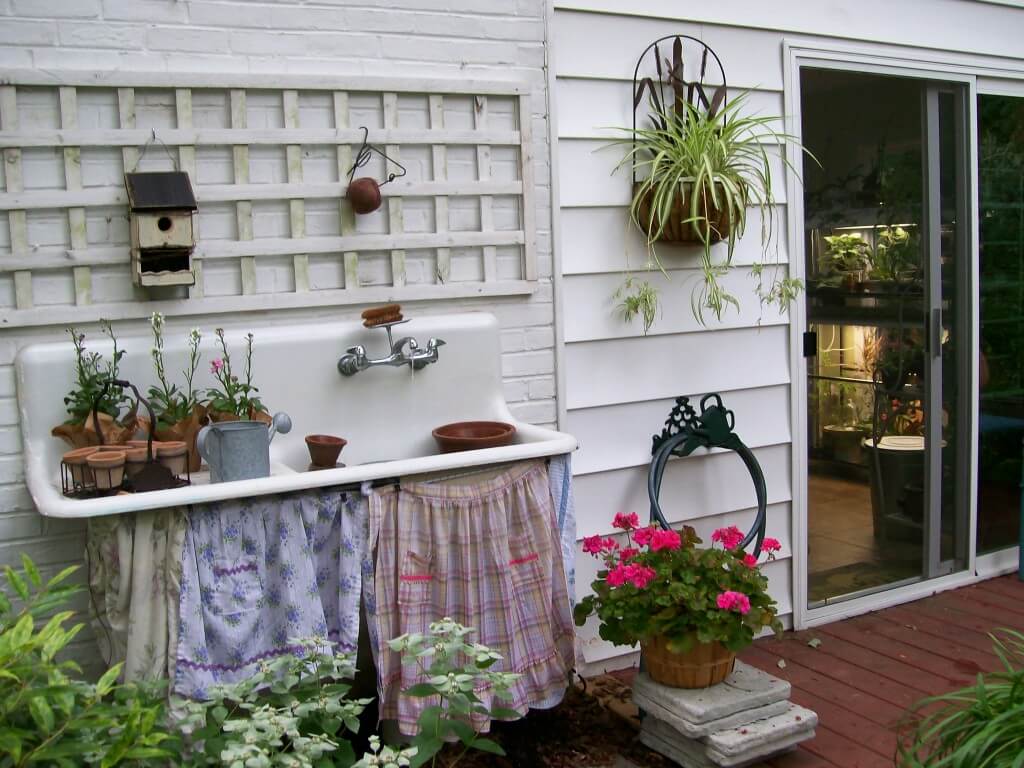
488, 39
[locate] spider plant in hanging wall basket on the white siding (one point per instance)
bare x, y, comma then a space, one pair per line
701, 167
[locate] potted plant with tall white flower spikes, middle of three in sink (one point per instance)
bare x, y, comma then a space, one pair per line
180, 413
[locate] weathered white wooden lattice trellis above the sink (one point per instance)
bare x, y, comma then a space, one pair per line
270, 160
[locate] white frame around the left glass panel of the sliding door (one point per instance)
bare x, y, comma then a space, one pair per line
900, 63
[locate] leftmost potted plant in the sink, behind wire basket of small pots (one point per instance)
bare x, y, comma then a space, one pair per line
93, 372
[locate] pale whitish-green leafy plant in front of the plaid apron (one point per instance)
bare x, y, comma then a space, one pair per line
456, 671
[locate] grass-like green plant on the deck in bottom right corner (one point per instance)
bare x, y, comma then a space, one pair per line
980, 727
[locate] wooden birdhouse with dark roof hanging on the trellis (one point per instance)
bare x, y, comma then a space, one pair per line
163, 228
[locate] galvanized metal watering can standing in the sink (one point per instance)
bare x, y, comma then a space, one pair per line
240, 450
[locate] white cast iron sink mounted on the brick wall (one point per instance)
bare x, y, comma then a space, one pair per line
387, 414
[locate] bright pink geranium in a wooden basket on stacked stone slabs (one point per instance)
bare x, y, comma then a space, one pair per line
692, 609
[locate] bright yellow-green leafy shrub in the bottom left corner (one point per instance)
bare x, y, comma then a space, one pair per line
50, 717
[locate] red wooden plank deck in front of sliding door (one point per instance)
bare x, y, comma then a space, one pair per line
868, 671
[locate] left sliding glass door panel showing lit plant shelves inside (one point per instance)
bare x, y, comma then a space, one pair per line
886, 243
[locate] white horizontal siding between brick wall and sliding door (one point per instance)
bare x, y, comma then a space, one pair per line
620, 383
